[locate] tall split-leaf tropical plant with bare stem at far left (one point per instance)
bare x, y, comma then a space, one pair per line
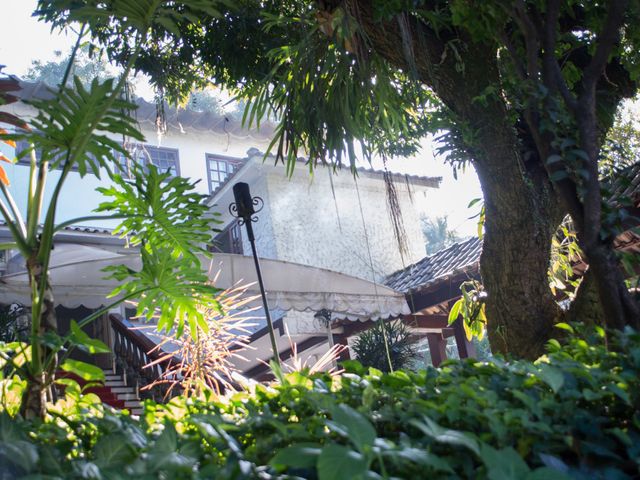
76, 129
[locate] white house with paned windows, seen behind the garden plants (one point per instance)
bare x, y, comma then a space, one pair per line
339, 223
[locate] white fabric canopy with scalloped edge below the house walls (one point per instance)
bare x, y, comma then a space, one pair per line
77, 279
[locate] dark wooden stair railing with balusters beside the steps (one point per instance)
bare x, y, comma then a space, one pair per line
134, 353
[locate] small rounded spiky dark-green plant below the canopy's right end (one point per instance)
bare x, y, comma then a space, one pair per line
370, 348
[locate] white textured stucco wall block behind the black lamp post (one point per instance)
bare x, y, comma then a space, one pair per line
303, 223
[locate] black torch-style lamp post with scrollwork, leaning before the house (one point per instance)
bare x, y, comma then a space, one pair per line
245, 209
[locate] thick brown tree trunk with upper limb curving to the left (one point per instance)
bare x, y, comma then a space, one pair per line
521, 208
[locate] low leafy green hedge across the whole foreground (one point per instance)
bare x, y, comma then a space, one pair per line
572, 414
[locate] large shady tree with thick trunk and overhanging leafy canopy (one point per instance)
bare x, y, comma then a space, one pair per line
525, 91
